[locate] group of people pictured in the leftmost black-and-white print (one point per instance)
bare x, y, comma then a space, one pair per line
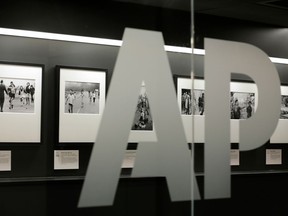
24, 95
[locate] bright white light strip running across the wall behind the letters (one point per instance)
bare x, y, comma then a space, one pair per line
103, 41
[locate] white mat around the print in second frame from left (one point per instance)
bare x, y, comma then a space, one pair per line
71, 126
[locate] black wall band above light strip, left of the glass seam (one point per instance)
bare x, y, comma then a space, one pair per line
104, 19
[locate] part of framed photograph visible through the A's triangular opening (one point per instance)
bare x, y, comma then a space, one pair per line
142, 128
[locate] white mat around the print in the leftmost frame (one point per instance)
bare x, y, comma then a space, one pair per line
22, 127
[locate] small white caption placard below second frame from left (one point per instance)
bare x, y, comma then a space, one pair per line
66, 159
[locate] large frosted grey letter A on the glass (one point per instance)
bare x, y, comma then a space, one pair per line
141, 58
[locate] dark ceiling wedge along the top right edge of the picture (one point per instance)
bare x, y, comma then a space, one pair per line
264, 11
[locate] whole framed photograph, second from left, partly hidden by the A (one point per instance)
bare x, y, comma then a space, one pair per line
82, 94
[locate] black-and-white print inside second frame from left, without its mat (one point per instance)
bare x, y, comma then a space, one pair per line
82, 97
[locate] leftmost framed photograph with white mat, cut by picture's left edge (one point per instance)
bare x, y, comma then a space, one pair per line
20, 102
